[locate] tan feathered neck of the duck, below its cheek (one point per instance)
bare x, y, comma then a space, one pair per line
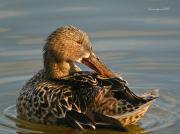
57, 70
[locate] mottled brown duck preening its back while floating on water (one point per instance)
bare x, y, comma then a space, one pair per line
61, 93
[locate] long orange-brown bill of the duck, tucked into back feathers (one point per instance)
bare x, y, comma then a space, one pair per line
97, 65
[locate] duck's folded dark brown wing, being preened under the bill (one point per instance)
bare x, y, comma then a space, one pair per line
102, 97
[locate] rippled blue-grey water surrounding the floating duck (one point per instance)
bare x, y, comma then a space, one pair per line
138, 38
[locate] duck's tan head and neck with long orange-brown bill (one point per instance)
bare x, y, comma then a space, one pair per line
67, 45
